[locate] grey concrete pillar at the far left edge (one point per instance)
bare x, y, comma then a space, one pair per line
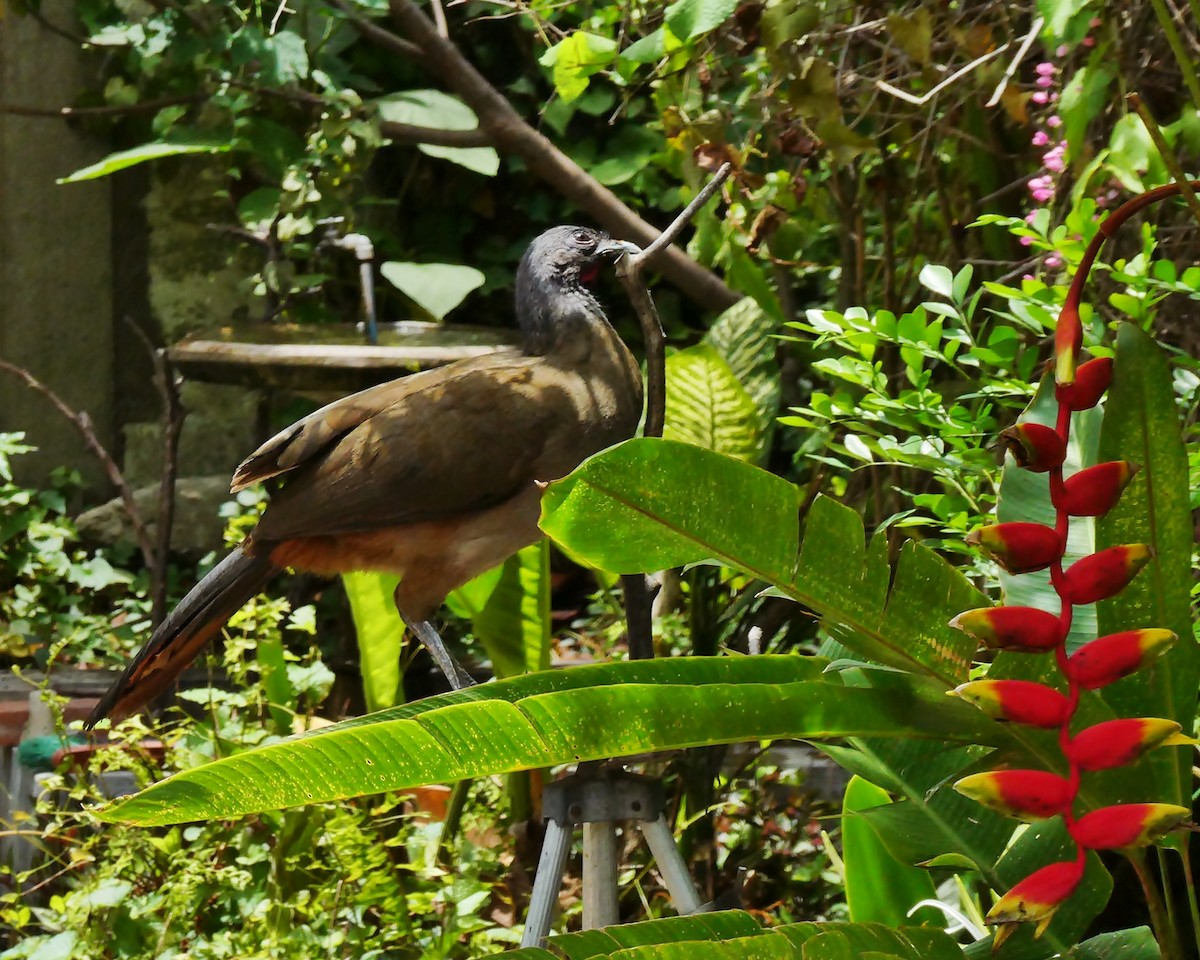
56, 265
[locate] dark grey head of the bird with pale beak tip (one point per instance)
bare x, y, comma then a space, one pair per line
554, 277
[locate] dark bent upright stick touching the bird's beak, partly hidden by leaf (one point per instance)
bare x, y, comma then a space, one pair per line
639, 592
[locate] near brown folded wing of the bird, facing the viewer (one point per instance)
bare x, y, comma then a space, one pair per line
467, 441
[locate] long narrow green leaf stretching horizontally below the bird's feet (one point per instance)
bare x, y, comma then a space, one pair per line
551, 718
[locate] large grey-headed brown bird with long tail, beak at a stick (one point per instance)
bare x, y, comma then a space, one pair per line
436, 477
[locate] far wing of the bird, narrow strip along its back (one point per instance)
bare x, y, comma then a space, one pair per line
316, 434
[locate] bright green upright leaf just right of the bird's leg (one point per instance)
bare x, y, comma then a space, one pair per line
509, 611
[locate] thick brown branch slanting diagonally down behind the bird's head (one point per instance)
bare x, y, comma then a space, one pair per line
511, 134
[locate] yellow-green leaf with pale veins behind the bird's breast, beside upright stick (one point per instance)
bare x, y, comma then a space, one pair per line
709, 407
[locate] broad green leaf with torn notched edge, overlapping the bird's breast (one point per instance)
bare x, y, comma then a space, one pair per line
650, 505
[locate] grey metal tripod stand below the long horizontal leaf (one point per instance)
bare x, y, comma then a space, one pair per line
601, 797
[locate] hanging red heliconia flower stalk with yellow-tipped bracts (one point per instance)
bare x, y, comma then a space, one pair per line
1025, 548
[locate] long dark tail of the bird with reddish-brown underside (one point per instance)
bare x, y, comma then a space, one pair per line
185, 632
